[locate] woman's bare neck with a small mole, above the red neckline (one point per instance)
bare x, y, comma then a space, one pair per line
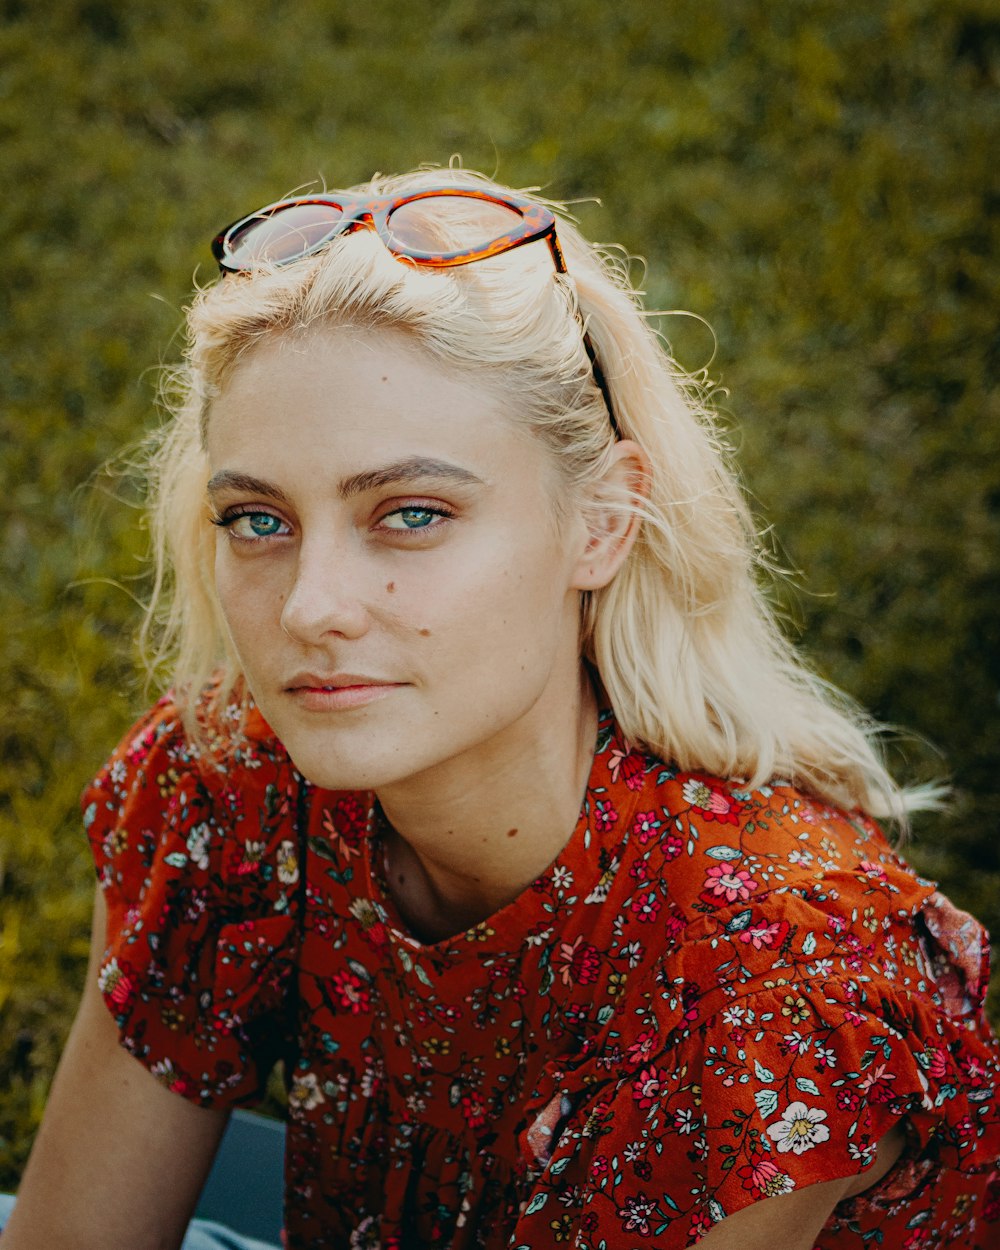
468, 839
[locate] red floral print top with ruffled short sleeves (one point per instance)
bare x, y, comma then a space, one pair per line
712, 997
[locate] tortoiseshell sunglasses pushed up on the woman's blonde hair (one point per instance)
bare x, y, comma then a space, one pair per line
434, 228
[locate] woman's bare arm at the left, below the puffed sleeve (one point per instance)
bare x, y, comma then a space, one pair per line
119, 1161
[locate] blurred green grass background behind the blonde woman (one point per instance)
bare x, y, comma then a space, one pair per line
816, 178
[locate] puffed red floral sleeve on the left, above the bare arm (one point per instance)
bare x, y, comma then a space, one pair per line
199, 869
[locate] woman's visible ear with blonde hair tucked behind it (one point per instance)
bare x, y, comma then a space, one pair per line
612, 526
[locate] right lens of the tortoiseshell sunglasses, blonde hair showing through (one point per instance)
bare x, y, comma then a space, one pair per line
443, 224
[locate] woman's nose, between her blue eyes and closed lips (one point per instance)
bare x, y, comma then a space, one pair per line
326, 598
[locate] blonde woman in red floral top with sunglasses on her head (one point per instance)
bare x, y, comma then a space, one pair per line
438, 516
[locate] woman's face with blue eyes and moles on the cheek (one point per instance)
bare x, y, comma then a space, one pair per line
391, 566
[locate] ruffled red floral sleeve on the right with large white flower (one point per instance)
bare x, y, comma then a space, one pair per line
766, 1061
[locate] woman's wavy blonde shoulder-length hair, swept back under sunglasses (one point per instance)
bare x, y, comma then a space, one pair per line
684, 642
